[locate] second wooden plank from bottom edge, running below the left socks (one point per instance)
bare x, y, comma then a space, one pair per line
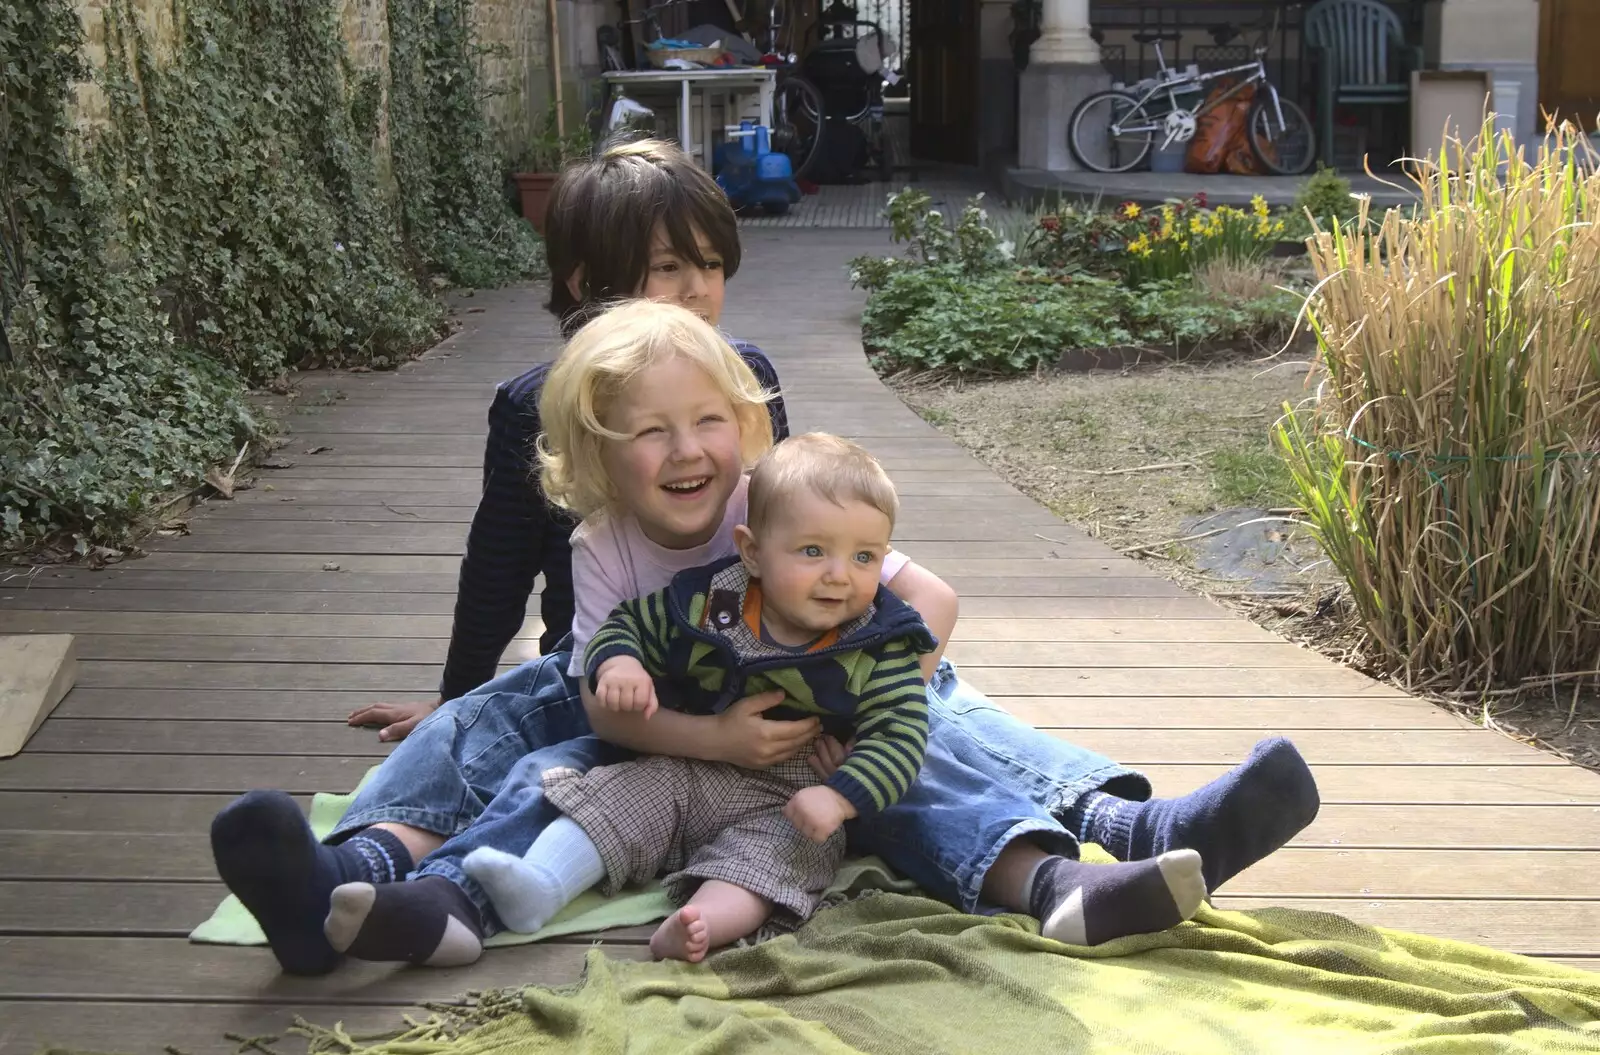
174, 969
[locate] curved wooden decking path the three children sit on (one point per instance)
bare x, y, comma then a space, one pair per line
230, 659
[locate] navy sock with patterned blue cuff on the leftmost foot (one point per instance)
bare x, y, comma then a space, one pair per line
270, 859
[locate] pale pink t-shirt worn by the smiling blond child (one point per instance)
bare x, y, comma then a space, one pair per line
615, 563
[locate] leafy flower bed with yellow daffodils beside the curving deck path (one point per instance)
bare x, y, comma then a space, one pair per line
972, 300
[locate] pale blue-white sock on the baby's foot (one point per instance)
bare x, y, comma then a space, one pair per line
529, 891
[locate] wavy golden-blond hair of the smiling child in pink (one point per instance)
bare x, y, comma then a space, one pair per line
594, 369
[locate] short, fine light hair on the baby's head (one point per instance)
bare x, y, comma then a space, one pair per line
830, 467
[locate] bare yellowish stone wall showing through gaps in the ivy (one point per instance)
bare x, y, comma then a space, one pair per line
516, 63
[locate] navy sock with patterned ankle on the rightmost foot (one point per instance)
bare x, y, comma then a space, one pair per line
1234, 822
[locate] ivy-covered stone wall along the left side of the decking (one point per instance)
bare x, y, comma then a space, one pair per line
198, 196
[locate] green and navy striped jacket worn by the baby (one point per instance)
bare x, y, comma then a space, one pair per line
700, 640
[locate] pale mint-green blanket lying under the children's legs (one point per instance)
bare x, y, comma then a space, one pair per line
231, 925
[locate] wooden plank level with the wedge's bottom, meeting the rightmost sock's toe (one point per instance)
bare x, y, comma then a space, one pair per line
1321, 747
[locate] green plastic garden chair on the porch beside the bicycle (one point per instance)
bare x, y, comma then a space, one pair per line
1362, 60
